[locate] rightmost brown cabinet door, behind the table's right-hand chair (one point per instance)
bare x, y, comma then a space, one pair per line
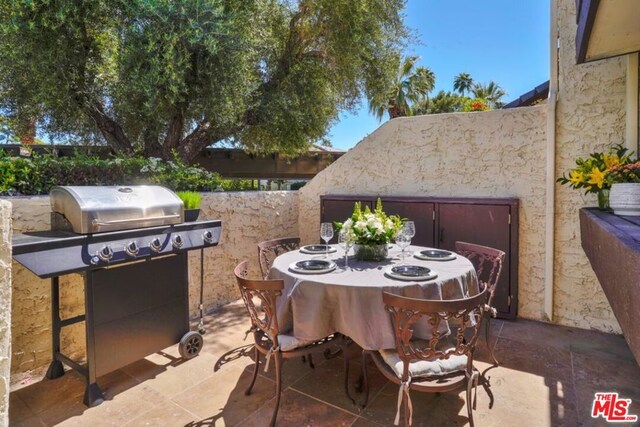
486, 225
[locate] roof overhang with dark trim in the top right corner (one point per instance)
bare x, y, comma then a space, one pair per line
607, 28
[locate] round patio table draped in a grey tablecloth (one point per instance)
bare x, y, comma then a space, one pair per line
349, 300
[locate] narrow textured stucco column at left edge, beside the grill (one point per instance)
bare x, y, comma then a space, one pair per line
5, 309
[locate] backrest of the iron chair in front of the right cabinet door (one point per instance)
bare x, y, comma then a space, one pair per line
487, 262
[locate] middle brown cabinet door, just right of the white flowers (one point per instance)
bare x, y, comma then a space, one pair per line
422, 213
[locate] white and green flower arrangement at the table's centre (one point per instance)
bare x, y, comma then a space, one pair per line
371, 228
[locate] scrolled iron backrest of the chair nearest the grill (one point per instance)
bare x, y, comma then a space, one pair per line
263, 315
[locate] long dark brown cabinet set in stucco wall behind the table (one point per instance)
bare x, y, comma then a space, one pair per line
441, 221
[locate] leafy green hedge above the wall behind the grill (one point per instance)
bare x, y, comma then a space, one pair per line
36, 175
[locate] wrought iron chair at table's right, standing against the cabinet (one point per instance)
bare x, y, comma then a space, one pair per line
488, 264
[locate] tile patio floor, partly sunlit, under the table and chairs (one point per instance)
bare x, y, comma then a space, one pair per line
548, 377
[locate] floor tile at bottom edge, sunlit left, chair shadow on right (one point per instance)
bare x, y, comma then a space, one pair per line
220, 400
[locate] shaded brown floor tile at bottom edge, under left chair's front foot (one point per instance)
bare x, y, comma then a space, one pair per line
296, 410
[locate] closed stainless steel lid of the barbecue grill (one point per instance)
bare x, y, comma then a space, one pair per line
96, 209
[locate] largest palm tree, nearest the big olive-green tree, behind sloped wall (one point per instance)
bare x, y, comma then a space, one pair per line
410, 88
